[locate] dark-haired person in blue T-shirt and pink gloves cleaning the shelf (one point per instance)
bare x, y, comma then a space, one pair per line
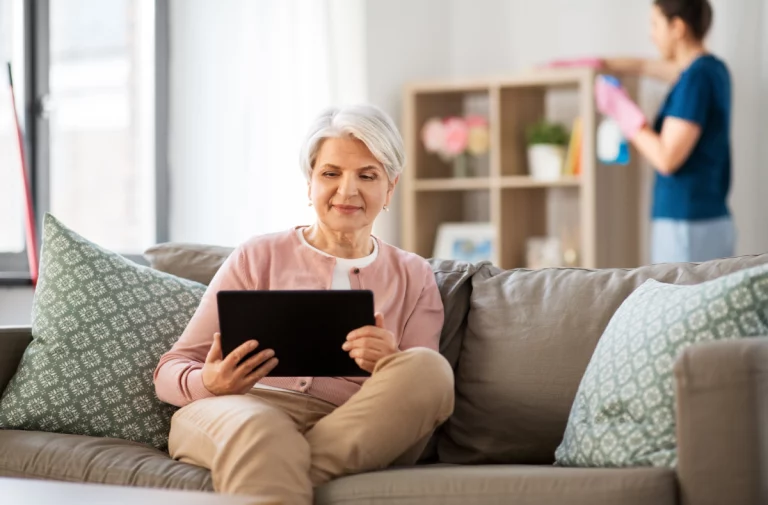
688, 144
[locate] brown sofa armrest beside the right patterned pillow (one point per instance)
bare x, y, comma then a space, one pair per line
722, 422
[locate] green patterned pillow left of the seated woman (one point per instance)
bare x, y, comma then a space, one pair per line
100, 324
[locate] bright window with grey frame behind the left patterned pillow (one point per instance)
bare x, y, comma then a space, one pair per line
94, 71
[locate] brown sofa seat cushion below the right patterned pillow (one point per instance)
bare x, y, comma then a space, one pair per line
502, 485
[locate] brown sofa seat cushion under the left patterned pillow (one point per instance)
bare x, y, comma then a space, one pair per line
79, 458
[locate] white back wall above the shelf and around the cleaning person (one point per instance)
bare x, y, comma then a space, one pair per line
498, 36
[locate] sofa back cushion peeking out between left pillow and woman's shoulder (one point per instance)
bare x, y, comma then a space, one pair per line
196, 262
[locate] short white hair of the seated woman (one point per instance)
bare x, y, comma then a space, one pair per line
367, 123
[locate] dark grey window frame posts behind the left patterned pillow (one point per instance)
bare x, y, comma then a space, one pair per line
14, 268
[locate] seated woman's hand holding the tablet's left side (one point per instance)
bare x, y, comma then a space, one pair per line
224, 376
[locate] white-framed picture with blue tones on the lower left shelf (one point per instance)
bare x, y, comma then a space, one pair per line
470, 242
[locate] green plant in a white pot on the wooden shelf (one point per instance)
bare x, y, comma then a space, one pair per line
547, 143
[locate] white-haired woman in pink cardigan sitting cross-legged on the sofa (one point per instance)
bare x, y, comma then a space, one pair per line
282, 436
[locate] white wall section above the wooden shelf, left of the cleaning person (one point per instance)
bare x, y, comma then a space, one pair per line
505, 36
